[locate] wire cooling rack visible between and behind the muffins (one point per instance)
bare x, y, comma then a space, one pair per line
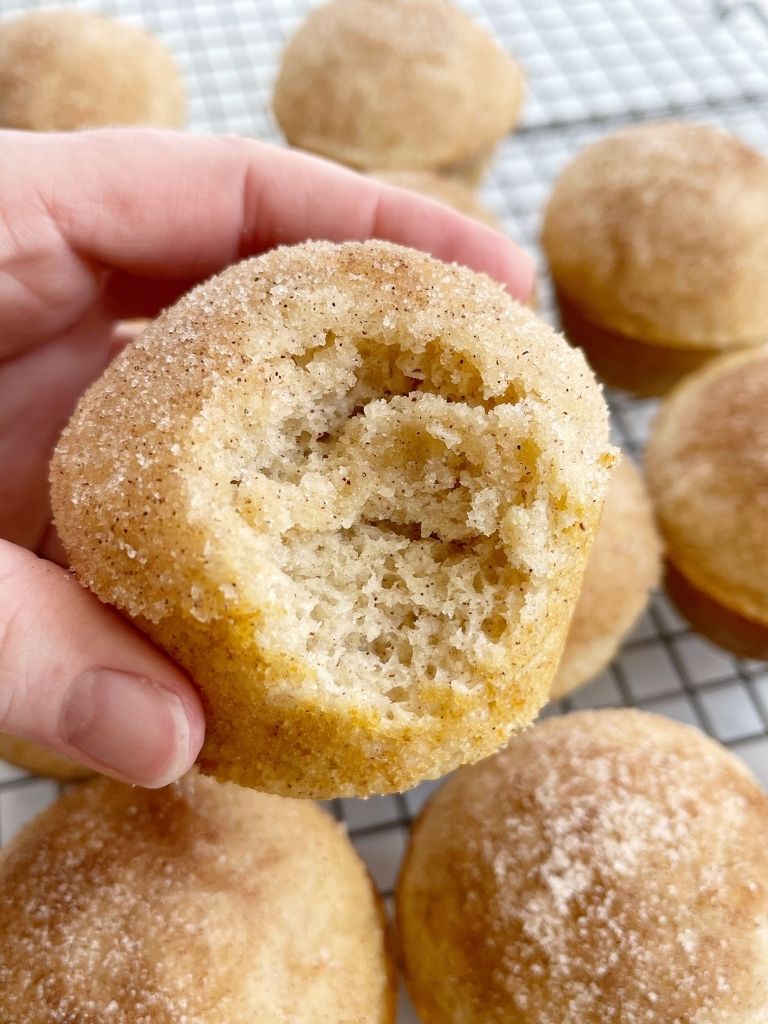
591, 67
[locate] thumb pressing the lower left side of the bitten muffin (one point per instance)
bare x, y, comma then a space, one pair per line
82, 681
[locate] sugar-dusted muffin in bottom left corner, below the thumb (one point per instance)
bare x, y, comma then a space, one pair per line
201, 904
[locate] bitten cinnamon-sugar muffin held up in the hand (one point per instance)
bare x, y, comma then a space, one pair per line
352, 490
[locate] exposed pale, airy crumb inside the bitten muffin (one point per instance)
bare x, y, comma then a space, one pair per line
382, 503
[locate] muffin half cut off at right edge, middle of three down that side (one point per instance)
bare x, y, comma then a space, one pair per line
707, 465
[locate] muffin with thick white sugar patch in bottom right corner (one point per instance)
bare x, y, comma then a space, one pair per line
608, 868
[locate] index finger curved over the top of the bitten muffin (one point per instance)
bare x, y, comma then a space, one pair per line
168, 205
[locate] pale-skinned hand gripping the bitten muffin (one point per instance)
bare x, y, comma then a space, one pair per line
98, 227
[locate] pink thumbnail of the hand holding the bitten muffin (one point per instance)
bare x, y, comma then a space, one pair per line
130, 726
